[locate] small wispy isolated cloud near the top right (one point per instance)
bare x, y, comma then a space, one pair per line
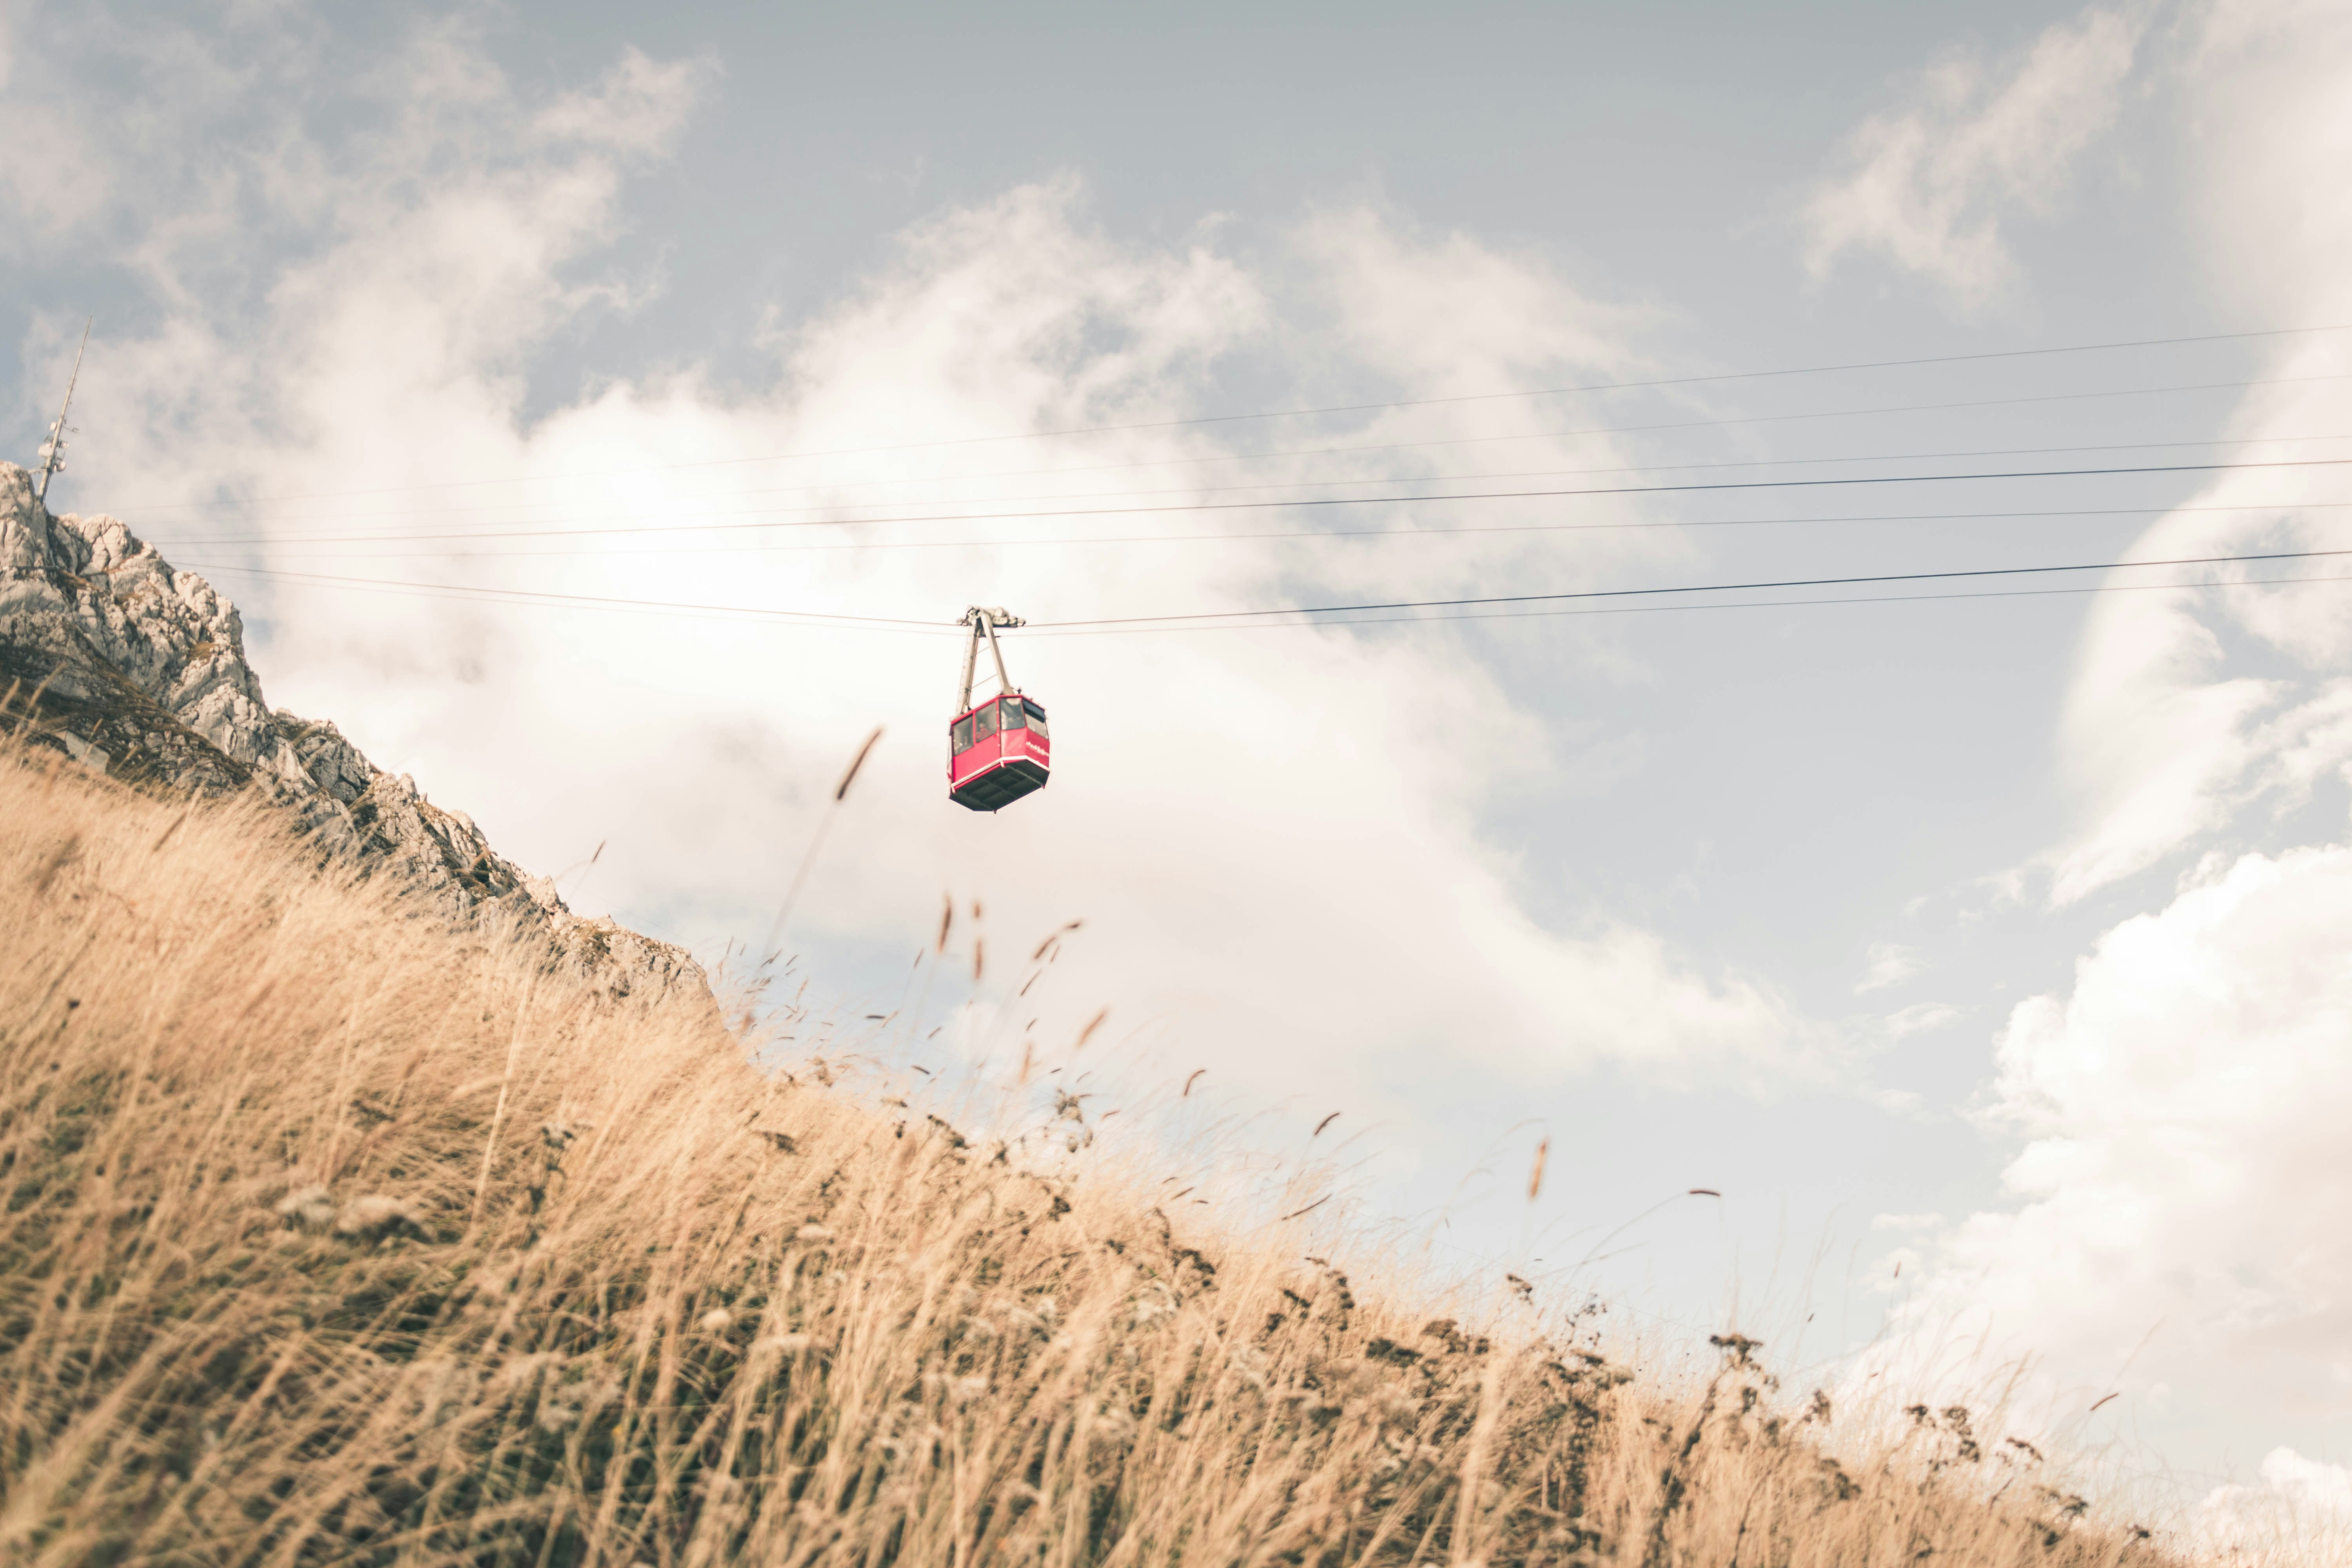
1927, 187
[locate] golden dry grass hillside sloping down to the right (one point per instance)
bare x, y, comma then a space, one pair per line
340, 1235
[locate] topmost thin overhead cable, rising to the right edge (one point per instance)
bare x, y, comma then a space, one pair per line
1396, 403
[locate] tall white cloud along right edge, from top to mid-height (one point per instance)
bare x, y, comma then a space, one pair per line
2198, 713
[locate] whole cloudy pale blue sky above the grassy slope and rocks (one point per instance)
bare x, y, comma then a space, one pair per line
1986, 937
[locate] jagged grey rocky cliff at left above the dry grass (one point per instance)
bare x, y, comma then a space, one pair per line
140, 671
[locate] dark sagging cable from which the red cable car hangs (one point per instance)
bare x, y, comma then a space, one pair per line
1304, 610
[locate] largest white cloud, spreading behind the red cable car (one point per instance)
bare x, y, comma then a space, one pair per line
1274, 836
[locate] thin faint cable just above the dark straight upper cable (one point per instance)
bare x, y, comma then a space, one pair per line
834, 511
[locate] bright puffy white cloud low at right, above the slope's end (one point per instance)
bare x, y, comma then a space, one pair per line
2184, 1205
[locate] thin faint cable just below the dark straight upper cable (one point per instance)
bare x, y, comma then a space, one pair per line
1267, 535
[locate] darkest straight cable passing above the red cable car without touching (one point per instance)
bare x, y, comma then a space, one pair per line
1321, 502
